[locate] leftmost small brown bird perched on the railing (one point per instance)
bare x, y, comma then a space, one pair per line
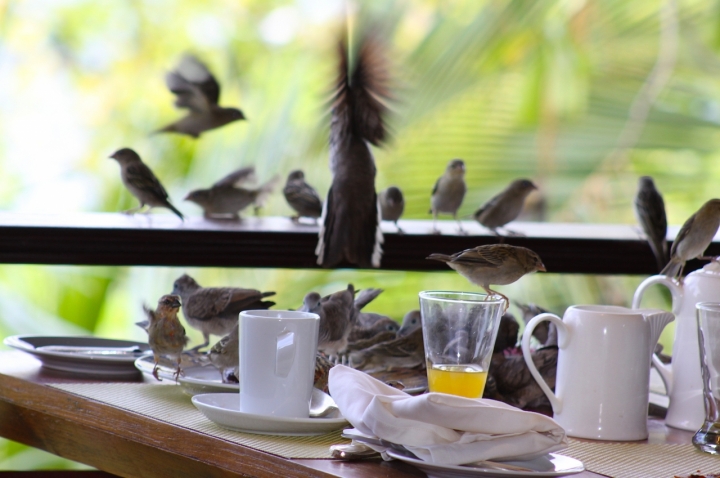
141, 182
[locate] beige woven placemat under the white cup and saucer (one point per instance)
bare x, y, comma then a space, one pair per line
168, 403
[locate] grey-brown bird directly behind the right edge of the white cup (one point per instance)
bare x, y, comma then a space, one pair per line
337, 318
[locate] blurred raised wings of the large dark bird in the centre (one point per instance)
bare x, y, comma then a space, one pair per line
359, 102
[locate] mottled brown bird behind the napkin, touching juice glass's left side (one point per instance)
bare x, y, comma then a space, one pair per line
403, 352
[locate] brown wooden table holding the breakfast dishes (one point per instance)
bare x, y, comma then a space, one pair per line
129, 444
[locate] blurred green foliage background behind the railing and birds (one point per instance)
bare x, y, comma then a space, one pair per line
514, 87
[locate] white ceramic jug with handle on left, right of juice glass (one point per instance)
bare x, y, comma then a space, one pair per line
603, 370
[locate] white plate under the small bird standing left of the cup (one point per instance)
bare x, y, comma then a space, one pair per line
195, 379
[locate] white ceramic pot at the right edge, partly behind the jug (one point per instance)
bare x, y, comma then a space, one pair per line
682, 377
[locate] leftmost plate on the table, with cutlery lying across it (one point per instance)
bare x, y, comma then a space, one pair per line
82, 355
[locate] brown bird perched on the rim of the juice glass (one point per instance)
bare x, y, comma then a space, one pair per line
499, 264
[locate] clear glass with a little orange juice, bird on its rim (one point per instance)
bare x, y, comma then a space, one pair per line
459, 330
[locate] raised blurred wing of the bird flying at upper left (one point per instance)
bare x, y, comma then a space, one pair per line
193, 85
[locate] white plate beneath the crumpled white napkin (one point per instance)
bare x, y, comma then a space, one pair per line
551, 464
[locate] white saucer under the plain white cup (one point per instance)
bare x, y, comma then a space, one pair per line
224, 409
